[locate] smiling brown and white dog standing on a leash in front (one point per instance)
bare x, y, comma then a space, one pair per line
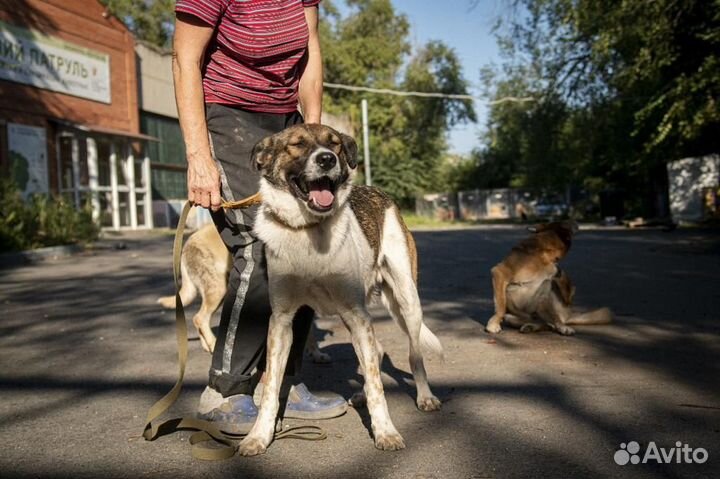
330, 245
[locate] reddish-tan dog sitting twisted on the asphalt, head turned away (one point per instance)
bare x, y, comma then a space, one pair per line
531, 292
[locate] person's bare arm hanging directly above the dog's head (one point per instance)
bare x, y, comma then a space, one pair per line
310, 88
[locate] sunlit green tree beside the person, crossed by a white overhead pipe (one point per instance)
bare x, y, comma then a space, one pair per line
407, 134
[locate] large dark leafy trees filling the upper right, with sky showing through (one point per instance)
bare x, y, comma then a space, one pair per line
620, 88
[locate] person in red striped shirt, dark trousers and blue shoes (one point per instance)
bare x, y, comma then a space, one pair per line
241, 69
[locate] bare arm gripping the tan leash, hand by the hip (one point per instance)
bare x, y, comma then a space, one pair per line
189, 43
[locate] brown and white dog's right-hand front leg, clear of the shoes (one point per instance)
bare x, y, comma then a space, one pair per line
386, 435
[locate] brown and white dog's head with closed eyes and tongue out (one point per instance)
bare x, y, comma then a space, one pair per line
309, 165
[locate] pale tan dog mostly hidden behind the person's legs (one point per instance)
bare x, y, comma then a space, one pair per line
204, 267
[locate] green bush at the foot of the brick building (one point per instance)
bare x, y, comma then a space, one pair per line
41, 220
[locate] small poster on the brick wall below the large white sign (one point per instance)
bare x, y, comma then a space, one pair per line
28, 158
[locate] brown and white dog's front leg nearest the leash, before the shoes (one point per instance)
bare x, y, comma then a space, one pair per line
278, 348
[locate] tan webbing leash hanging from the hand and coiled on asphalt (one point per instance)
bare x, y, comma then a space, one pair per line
208, 442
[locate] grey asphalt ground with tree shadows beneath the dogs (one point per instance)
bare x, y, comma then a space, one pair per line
85, 351
